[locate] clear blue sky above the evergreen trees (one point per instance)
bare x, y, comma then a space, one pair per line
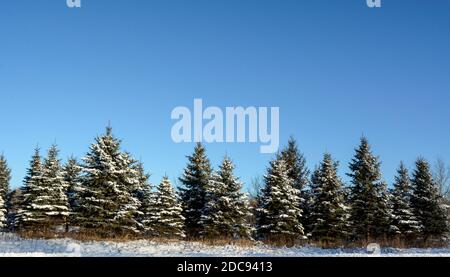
336, 69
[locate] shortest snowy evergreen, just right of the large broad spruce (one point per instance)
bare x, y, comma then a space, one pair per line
166, 216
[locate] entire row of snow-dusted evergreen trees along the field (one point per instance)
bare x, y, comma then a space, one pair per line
109, 194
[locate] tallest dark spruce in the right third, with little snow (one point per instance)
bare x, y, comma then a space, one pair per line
369, 214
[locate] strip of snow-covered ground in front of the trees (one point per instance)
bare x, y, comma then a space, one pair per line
11, 245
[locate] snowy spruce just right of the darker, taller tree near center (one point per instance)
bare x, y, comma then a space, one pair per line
227, 209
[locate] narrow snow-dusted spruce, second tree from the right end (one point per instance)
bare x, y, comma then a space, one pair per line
404, 222
